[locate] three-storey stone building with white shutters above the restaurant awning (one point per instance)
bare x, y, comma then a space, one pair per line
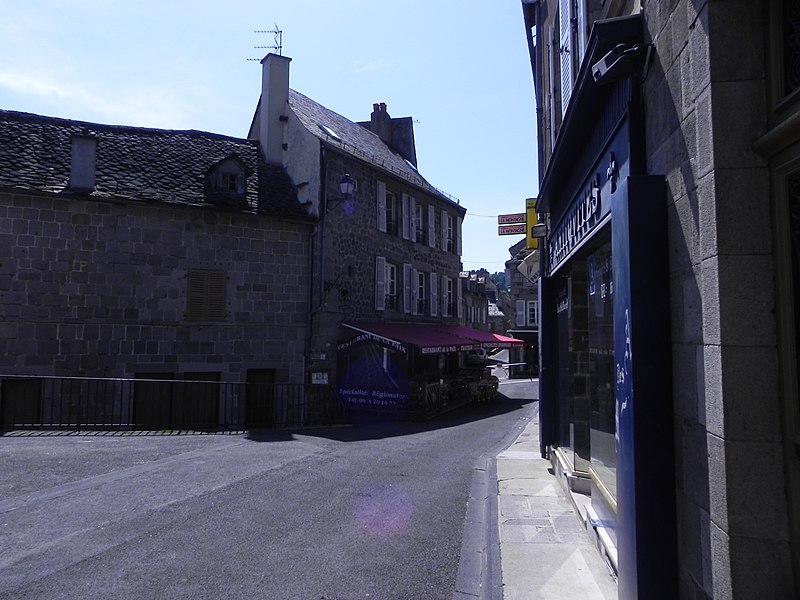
387, 249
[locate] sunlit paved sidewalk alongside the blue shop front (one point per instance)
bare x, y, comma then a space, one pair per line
545, 551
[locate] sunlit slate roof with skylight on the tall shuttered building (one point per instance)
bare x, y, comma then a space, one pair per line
356, 140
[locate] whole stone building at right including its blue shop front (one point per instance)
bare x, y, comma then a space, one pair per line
668, 160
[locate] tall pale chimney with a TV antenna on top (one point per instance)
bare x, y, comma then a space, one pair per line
274, 106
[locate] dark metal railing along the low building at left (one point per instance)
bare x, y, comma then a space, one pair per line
84, 403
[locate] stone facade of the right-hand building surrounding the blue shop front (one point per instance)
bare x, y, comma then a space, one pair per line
720, 114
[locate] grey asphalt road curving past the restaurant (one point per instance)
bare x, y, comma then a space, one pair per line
372, 513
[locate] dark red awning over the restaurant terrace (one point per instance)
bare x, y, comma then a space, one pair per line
431, 338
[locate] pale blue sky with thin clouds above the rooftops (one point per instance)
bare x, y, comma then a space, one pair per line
460, 69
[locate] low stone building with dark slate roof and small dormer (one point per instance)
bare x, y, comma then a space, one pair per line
131, 252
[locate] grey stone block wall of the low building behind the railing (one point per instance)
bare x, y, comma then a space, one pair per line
99, 288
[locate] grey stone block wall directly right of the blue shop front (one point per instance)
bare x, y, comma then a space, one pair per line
705, 95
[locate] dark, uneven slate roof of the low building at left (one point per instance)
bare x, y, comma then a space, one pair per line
136, 163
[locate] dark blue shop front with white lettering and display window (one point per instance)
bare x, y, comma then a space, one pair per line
605, 381
